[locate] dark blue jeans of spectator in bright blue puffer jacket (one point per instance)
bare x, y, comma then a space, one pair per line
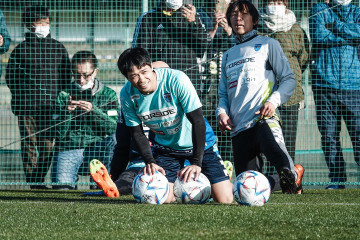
331, 106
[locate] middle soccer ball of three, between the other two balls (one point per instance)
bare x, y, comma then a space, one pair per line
194, 191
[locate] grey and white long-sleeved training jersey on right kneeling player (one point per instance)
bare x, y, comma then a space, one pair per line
250, 74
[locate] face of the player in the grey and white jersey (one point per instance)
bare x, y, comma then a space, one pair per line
241, 22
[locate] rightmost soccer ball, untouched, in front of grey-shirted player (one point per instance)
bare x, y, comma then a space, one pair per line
251, 188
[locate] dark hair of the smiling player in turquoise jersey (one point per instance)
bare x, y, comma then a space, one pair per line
133, 57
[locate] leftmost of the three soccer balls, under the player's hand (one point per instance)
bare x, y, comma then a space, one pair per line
150, 189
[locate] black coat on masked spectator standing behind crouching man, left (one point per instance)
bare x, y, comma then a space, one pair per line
38, 69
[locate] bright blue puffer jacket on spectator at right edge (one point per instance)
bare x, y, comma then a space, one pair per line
335, 35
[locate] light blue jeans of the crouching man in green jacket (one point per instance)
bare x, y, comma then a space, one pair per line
68, 165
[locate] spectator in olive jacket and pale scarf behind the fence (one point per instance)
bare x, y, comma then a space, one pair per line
279, 22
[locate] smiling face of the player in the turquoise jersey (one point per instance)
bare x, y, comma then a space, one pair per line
143, 78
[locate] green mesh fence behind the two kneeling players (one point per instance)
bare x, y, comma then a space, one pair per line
39, 139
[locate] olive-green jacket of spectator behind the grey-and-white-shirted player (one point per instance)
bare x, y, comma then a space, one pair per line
295, 45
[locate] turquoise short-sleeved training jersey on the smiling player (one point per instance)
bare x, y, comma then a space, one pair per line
163, 111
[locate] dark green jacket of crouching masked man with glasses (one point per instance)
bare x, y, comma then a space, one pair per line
85, 130
